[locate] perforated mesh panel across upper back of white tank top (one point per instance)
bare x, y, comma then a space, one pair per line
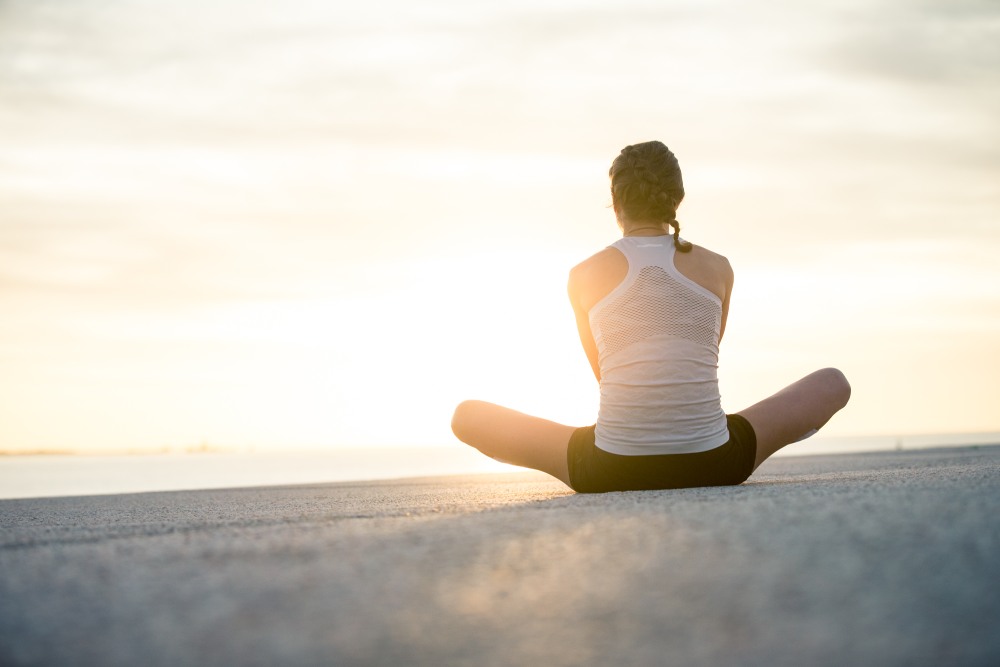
655, 304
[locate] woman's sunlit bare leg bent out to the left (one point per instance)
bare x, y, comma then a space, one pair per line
514, 437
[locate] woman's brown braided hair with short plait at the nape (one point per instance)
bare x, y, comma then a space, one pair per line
646, 184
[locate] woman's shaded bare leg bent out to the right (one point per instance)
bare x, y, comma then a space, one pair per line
797, 411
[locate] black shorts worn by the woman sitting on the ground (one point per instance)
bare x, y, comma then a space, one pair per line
593, 470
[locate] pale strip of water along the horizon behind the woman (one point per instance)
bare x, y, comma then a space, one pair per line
33, 476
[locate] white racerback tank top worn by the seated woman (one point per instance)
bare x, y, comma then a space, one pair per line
657, 336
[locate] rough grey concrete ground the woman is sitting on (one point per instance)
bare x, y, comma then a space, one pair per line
872, 559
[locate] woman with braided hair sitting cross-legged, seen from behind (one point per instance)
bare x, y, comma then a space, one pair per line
651, 310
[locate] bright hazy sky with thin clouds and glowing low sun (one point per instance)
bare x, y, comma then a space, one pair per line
322, 224
